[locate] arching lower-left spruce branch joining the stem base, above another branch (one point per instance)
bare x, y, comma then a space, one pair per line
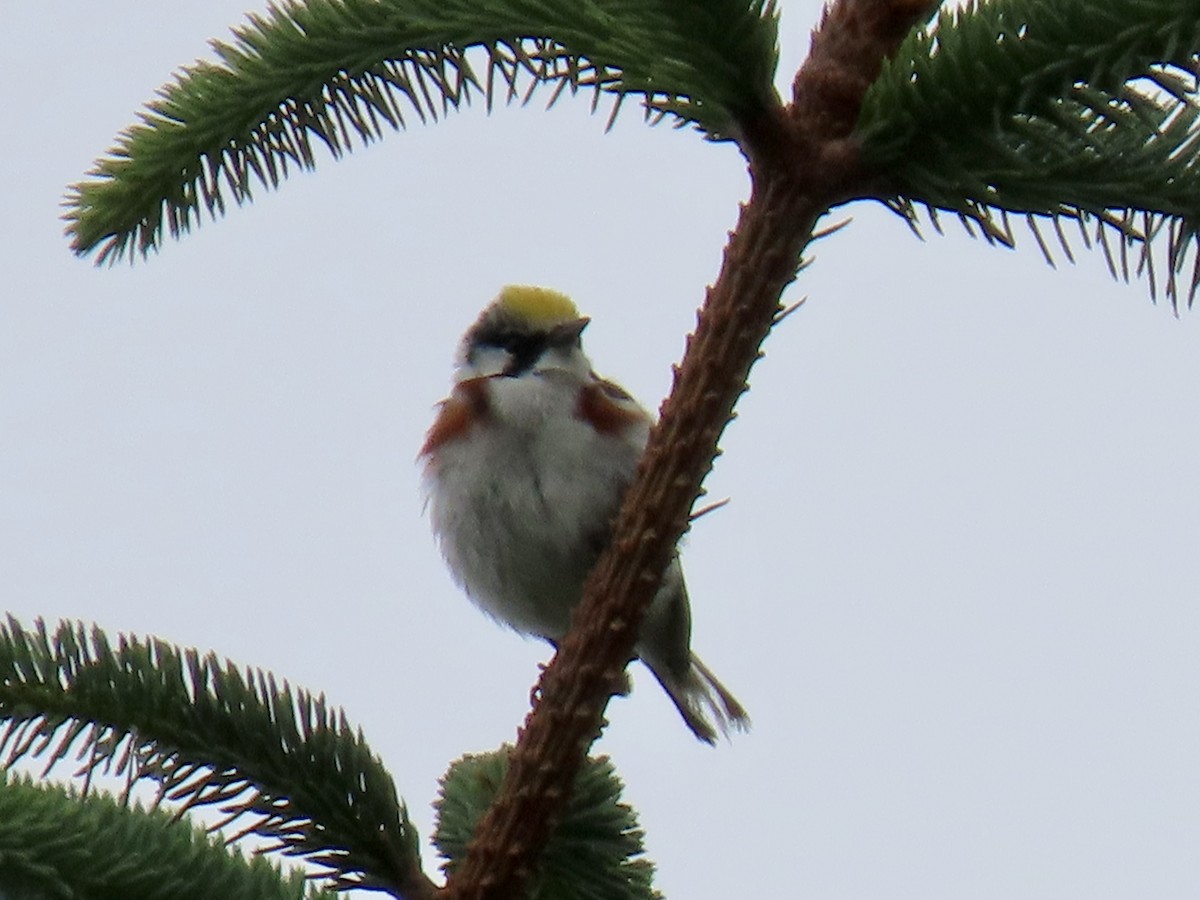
273, 759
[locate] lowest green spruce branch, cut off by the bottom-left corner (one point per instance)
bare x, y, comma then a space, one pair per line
56, 843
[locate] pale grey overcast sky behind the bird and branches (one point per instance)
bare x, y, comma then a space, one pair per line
956, 587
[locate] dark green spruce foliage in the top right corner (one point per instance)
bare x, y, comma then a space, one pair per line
1076, 117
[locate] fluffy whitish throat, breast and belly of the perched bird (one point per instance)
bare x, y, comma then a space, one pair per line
521, 506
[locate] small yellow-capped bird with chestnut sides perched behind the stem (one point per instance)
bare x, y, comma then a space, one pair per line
525, 469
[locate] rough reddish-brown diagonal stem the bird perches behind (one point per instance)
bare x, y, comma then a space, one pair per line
803, 161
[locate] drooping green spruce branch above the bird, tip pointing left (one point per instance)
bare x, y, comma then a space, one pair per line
339, 73
